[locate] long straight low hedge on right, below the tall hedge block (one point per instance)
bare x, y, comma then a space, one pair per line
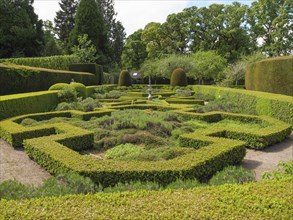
252, 102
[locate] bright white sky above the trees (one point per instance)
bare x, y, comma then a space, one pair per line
134, 14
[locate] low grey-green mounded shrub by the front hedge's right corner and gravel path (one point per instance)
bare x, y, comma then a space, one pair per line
232, 174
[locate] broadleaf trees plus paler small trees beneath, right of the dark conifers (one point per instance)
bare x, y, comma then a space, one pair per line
213, 44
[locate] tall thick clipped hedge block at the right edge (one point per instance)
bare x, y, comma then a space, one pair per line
271, 75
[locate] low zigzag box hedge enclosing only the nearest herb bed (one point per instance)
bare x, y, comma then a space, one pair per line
211, 151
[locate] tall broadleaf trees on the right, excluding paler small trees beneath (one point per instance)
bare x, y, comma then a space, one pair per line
231, 30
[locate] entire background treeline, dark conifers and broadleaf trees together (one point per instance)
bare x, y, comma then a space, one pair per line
213, 44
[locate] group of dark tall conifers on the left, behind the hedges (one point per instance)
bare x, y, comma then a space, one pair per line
24, 35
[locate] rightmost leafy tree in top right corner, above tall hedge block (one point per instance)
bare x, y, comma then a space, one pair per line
271, 24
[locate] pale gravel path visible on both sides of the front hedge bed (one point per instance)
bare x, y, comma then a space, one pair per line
15, 164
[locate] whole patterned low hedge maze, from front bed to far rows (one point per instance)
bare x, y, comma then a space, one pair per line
56, 147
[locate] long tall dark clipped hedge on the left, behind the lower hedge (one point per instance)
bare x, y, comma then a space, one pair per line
19, 79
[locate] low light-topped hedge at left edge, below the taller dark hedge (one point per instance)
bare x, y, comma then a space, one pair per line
19, 104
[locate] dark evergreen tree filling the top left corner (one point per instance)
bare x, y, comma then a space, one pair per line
21, 31
